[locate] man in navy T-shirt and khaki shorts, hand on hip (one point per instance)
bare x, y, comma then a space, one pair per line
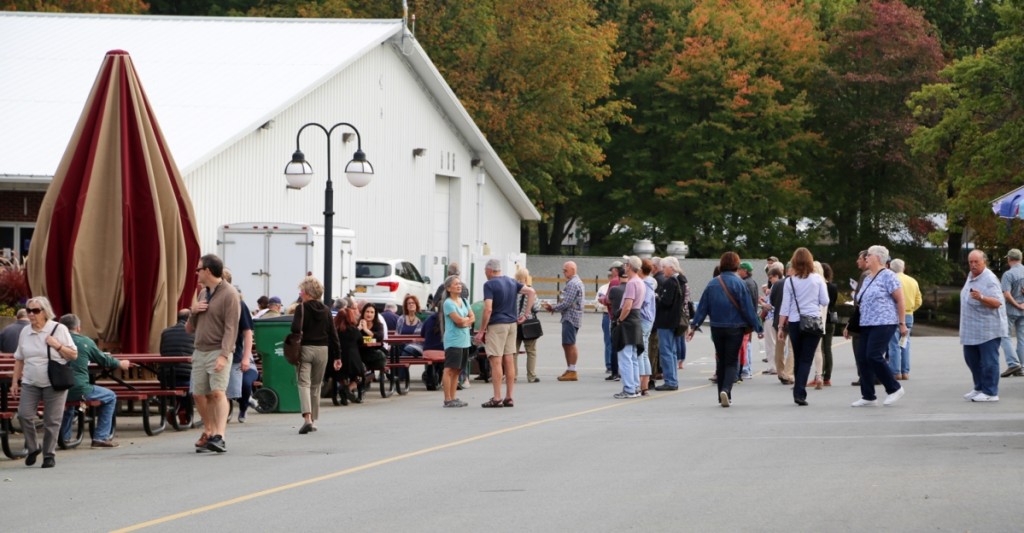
498, 329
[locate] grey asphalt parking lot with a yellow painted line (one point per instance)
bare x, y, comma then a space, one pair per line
570, 458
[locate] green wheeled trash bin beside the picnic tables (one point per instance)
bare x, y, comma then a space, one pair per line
279, 375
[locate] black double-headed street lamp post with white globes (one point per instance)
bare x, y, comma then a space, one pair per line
300, 173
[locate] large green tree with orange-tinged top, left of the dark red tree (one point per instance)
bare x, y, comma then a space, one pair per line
718, 140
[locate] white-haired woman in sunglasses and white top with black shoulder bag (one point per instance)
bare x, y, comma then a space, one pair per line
44, 340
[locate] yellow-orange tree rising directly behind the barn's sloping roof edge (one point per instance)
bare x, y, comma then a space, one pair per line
537, 76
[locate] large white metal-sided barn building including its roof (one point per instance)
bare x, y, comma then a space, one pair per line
231, 96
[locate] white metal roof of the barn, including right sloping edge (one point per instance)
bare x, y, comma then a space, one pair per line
230, 75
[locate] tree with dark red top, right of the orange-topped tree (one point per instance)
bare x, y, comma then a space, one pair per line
878, 56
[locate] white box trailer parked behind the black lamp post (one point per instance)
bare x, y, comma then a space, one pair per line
271, 258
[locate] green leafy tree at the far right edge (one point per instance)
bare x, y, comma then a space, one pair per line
973, 124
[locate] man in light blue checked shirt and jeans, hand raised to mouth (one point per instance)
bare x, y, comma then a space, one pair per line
984, 325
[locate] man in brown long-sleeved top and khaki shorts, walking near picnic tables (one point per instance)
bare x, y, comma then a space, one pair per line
215, 322
